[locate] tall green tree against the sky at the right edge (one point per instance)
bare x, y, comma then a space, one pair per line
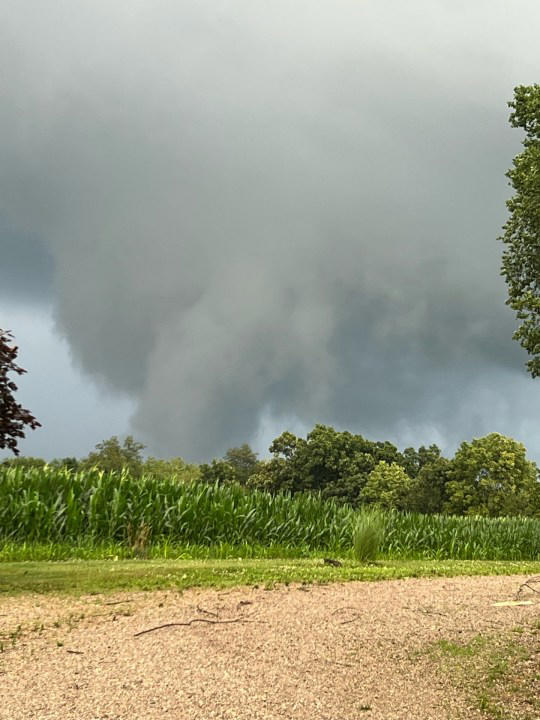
521, 257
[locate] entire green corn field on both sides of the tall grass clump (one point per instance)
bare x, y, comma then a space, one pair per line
58, 506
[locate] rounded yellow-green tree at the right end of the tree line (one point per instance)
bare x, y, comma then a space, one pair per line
491, 476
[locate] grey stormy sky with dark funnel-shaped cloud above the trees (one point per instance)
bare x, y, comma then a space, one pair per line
220, 220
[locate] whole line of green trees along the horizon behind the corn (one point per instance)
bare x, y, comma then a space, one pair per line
489, 476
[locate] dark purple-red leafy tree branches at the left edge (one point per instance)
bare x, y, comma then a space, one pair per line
13, 417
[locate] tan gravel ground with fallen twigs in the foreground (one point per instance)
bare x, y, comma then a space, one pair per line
328, 652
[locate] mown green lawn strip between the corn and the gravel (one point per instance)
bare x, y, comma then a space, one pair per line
93, 576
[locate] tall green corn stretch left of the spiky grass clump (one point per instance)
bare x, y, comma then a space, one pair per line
47, 505
